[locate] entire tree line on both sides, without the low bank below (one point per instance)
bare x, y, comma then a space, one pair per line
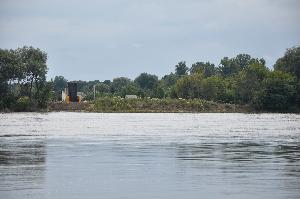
241, 80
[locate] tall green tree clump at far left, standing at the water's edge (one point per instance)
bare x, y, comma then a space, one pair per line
23, 84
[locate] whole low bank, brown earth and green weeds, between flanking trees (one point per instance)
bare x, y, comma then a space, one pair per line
117, 104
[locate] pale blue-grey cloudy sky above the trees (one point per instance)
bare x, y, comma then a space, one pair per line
103, 39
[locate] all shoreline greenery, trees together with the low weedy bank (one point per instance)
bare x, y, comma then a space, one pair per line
241, 84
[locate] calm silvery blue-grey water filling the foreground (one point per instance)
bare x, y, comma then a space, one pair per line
136, 156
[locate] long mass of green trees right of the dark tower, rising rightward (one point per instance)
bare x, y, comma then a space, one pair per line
240, 80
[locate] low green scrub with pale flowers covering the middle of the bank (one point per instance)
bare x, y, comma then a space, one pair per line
118, 104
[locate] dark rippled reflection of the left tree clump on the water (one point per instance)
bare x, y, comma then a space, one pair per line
22, 163
